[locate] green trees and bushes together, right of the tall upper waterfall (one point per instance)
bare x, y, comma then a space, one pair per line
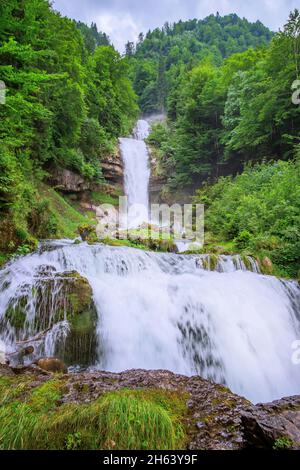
223, 118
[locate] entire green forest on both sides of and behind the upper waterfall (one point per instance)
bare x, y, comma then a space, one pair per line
225, 85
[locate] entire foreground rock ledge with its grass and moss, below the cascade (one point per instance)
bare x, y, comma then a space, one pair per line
136, 409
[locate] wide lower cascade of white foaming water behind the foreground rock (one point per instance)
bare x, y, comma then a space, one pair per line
164, 311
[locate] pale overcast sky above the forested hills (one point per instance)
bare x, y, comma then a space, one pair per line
123, 20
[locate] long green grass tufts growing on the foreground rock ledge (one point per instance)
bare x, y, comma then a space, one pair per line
124, 419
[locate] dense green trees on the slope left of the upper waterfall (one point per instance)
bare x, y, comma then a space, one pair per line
68, 99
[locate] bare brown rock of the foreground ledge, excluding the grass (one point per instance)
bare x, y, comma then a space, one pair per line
213, 417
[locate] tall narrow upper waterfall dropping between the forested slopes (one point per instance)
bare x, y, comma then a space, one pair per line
136, 174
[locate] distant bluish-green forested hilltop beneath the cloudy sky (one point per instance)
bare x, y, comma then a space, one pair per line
160, 57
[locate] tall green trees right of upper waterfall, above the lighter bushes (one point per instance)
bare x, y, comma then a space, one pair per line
224, 114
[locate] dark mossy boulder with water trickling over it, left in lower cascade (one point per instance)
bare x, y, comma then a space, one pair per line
55, 298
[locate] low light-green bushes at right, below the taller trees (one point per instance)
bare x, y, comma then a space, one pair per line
259, 210
